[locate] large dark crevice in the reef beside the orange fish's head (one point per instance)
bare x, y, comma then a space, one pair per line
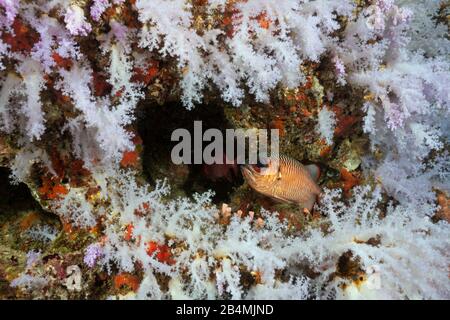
155, 126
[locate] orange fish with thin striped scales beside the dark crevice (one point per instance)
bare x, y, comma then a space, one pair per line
285, 180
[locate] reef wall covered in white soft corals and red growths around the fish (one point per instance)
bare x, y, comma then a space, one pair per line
92, 207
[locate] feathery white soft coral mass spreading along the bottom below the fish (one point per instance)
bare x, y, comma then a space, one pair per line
400, 253
